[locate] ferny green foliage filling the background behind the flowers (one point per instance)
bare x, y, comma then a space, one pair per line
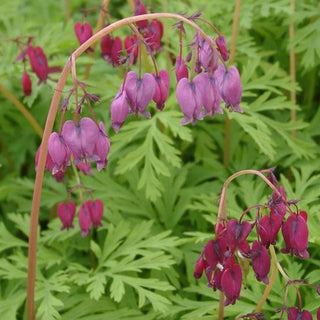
162, 183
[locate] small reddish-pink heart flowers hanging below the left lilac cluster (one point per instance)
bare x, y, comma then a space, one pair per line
90, 215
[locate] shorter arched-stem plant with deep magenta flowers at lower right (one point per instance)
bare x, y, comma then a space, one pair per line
223, 257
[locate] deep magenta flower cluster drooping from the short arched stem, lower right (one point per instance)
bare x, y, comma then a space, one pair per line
221, 258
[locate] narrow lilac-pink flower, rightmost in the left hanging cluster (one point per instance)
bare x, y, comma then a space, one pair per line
101, 148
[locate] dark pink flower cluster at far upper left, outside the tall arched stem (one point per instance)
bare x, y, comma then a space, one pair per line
39, 66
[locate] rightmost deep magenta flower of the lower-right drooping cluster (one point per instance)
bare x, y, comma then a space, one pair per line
295, 233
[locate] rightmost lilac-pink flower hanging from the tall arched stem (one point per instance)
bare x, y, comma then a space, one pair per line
231, 89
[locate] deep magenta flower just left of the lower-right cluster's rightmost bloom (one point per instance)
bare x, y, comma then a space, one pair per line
268, 228
